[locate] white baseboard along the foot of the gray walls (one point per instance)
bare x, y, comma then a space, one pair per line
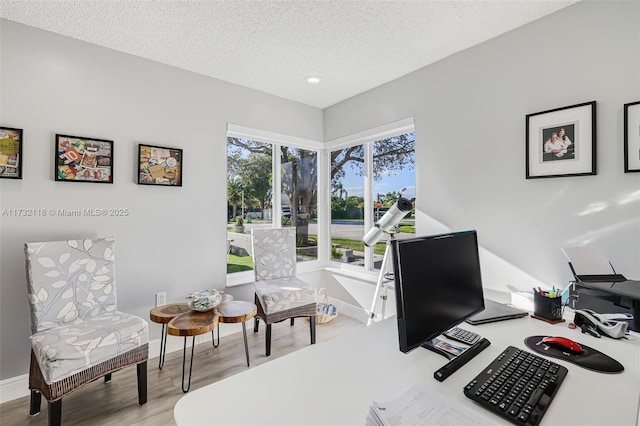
18, 387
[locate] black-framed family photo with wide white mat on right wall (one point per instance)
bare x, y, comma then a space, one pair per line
561, 142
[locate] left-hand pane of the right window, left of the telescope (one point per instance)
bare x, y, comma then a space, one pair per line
347, 205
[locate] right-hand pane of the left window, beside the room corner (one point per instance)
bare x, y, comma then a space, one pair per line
299, 198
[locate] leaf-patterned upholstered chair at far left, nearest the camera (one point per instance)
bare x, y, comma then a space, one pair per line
78, 334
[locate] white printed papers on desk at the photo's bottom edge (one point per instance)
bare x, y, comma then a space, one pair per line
422, 406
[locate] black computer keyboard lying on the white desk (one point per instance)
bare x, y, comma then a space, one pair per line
517, 385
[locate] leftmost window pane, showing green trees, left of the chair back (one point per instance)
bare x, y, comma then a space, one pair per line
249, 195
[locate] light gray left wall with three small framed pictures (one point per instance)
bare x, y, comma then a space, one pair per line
174, 238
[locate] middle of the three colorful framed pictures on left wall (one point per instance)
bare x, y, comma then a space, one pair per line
80, 159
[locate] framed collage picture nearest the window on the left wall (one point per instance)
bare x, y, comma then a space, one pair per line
159, 165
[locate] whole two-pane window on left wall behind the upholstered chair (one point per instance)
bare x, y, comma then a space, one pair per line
258, 198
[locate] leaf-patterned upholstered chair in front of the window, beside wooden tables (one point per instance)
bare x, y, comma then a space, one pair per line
279, 294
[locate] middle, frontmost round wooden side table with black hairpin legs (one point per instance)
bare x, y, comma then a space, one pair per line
192, 323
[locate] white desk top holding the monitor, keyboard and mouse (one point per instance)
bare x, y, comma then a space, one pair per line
335, 382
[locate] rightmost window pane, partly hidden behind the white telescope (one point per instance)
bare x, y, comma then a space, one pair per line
393, 177
